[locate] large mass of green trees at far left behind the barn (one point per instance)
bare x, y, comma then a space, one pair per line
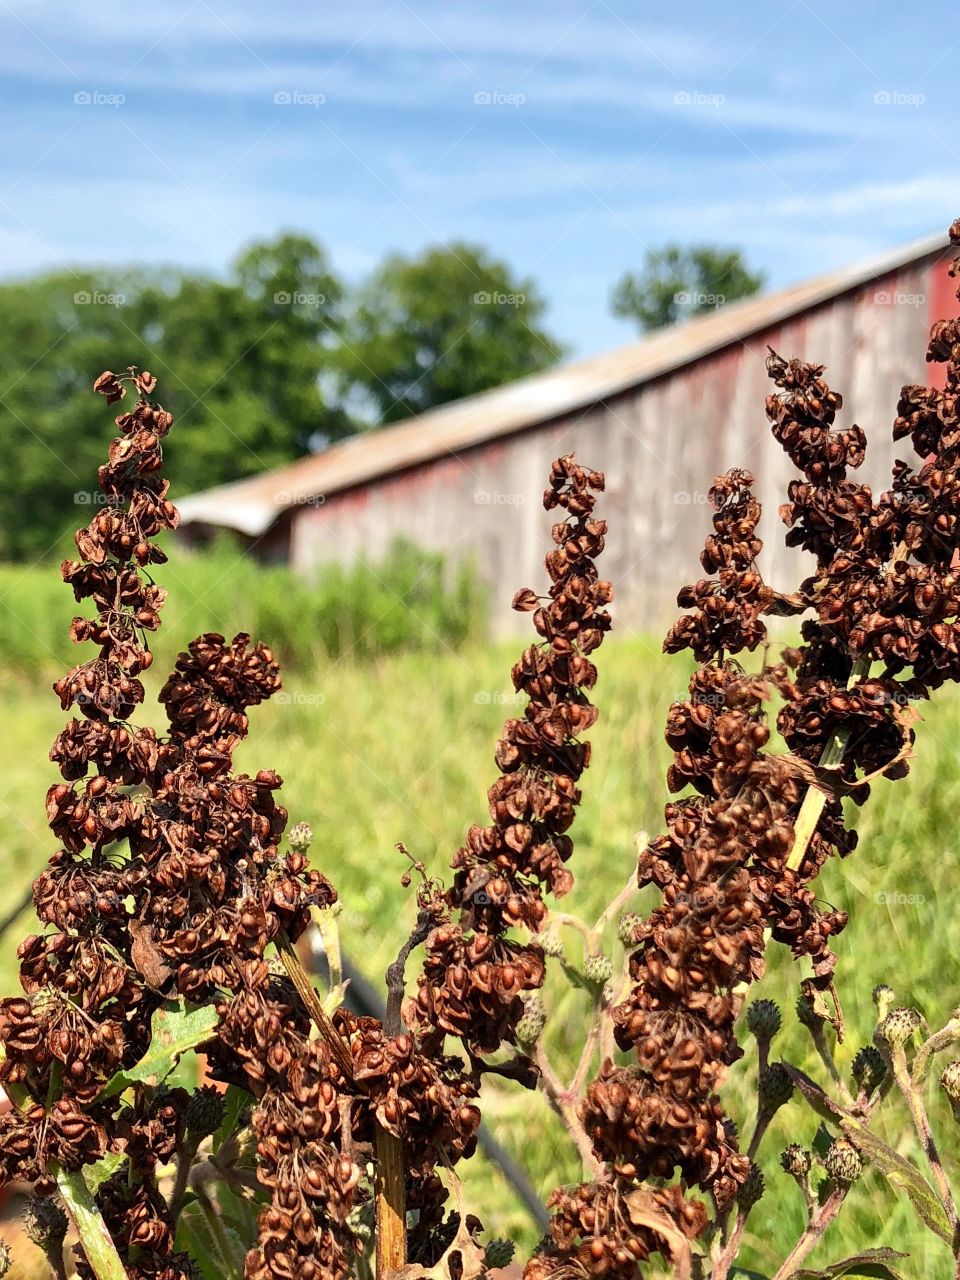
240, 362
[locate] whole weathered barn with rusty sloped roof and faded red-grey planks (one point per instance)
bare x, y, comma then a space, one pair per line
661, 417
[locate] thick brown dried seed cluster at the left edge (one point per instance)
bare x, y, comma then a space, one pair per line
170, 883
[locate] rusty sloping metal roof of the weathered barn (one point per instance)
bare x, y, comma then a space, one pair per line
253, 505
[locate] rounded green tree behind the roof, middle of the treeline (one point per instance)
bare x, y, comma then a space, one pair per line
435, 328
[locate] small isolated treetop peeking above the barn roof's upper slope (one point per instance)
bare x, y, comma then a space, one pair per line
682, 282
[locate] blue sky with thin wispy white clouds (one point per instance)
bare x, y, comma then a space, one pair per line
568, 136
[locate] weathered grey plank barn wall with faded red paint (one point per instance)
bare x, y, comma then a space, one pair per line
660, 446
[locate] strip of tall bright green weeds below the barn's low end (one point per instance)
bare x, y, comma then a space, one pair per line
406, 601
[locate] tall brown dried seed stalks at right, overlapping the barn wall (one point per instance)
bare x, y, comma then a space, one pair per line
884, 592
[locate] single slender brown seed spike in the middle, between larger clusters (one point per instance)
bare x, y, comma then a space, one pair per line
476, 975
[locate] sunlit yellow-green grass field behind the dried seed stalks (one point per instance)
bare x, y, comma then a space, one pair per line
401, 749
